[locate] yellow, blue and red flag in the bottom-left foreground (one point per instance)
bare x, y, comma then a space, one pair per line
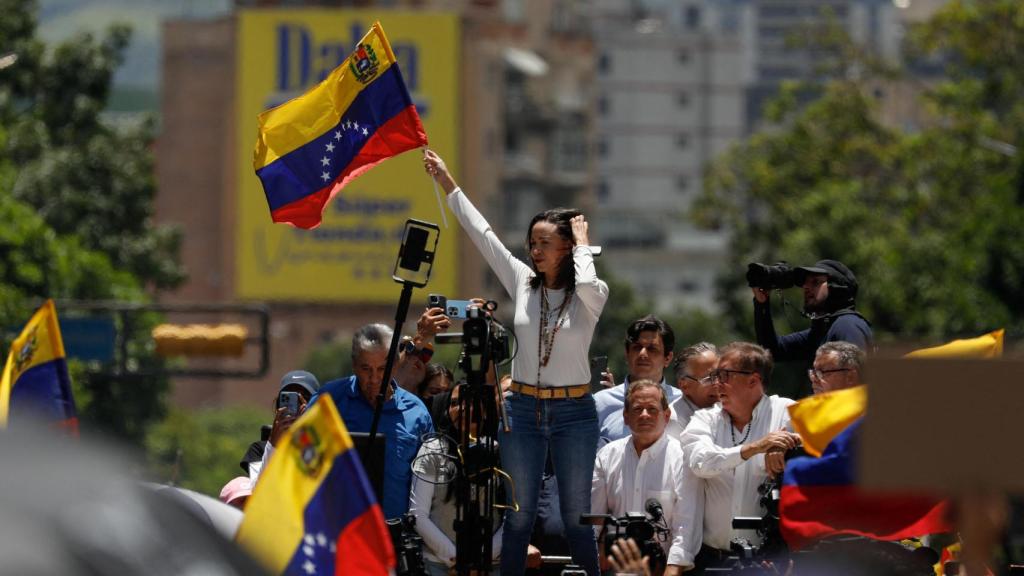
314, 511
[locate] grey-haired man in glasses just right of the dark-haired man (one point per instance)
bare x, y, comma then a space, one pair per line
693, 369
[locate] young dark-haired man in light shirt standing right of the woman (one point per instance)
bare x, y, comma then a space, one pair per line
650, 343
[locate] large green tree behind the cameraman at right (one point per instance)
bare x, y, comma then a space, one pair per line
928, 220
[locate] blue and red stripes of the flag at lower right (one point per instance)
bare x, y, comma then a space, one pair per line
820, 498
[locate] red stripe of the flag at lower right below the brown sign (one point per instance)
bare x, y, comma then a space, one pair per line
809, 513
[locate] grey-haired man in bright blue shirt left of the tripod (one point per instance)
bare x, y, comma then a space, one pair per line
404, 420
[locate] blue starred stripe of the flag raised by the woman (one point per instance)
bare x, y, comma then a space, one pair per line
314, 167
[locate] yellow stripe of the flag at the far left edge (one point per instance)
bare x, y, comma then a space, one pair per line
38, 344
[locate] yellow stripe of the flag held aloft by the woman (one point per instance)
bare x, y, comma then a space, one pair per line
305, 118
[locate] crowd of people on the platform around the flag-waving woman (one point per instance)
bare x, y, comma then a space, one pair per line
687, 438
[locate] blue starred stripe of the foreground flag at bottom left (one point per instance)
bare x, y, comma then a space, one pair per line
344, 497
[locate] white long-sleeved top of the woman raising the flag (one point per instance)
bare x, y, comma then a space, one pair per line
569, 364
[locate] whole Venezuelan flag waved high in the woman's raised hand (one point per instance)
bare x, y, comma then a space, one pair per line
311, 147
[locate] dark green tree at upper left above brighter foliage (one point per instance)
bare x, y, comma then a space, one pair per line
84, 177
